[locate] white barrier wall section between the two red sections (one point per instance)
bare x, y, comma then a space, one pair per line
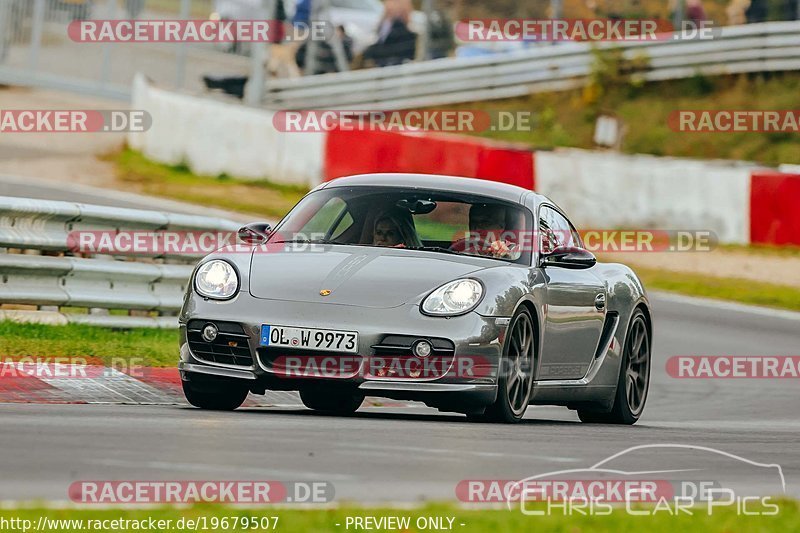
606, 190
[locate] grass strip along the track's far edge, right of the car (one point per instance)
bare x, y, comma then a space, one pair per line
731, 289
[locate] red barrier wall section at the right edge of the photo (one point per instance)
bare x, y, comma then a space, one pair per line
774, 208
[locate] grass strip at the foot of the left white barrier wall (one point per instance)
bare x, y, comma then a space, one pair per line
257, 198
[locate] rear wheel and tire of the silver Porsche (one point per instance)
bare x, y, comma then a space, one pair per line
633, 383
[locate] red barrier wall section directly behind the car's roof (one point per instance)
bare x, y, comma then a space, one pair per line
358, 152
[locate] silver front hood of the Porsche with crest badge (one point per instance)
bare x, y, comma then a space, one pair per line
356, 275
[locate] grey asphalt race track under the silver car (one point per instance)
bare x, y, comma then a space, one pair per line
413, 454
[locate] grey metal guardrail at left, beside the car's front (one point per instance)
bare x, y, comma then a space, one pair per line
42, 272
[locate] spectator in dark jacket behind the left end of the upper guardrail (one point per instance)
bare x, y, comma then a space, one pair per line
396, 43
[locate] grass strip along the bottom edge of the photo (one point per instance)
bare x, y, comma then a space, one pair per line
336, 520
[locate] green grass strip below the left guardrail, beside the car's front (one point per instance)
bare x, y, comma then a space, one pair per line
155, 347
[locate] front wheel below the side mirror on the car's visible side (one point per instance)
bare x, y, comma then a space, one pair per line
517, 367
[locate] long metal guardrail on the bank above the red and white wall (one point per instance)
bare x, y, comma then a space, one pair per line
771, 46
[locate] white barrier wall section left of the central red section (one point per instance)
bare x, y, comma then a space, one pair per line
214, 137
